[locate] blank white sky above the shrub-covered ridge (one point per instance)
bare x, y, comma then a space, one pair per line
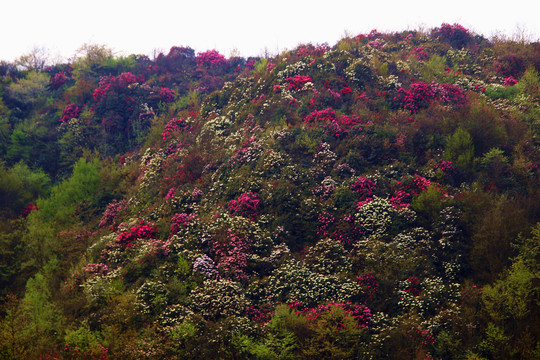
250, 26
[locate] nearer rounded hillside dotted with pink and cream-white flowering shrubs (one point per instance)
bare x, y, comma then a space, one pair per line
375, 199
